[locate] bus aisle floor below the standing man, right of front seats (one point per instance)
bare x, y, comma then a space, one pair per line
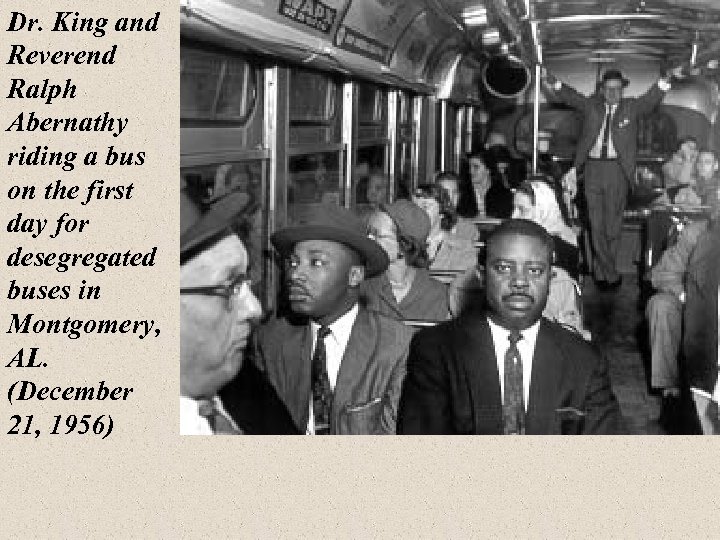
617, 322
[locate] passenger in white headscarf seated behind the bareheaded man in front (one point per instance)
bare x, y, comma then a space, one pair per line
537, 201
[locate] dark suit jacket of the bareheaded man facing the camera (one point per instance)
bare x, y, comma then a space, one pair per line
453, 385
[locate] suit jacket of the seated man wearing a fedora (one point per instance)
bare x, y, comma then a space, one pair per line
271, 395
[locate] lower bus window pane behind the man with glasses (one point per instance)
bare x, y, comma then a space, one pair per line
211, 183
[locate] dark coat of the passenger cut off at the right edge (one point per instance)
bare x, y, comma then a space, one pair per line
700, 339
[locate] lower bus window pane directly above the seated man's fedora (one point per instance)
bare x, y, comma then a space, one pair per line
314, 179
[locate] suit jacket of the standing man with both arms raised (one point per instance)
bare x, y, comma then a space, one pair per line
624, 123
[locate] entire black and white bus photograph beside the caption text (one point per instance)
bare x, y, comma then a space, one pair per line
449, 217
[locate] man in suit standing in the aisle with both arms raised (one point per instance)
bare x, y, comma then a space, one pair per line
607, 148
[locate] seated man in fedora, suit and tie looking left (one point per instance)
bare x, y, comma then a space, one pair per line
330, 366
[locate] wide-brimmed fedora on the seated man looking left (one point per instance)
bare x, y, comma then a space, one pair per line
338, 224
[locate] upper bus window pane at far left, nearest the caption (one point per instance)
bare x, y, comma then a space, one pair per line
215, 87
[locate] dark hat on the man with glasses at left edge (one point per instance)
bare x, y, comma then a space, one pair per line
198, 224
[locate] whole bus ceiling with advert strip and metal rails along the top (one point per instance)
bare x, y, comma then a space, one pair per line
416, 43
